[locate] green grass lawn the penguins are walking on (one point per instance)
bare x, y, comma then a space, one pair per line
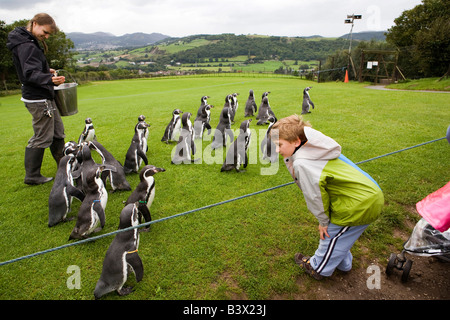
239, 250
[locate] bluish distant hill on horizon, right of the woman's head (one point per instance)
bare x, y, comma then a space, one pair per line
106, 41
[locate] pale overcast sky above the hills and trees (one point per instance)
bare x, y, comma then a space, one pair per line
179, 18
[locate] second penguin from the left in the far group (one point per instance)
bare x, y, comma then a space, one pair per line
186, 144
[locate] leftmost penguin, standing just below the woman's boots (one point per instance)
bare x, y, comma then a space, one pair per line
63, 191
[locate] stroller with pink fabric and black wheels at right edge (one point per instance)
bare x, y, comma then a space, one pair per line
431, 235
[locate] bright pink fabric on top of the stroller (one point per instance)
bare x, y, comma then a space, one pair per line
435, 208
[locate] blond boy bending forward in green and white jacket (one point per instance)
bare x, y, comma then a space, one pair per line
343, 198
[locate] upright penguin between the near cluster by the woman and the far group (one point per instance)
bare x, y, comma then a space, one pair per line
137, 151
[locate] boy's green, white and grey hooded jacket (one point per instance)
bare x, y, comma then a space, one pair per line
335, 189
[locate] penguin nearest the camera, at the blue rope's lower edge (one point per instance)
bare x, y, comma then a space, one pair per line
122, 256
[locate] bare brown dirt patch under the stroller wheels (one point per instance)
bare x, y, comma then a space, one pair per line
429, 279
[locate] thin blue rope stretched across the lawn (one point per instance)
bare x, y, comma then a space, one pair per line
188, 212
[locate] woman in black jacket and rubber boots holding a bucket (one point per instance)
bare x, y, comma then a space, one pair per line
38, 95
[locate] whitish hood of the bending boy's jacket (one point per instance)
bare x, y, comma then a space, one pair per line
318, 147
